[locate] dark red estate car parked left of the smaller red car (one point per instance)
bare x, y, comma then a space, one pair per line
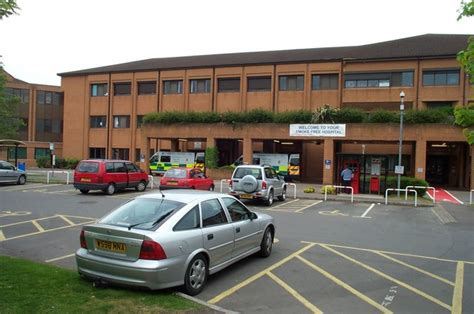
108, 176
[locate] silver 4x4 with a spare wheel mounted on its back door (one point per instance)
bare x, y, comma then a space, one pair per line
258, 183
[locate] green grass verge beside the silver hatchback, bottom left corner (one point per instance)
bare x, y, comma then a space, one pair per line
27, 287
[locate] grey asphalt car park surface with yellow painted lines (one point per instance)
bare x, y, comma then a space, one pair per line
333, 256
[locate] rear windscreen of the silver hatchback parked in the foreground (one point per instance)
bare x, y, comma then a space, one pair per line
143, 213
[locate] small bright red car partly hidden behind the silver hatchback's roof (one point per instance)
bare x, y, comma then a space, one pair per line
185, 178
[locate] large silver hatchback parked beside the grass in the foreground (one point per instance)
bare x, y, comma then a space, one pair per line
177, 238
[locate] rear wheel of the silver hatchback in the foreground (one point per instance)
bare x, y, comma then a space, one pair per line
196, 275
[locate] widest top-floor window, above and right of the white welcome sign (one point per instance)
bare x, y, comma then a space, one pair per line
379, 79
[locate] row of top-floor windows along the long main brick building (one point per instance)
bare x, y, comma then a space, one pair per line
286, 83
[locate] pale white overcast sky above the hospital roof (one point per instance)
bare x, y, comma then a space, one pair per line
54, 36
